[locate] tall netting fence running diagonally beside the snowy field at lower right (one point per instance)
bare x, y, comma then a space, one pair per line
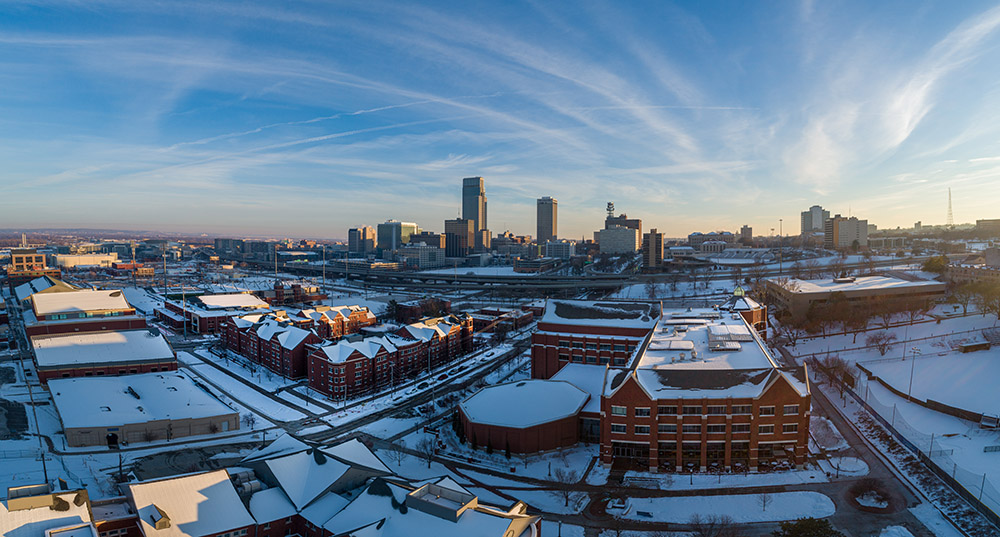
975, 488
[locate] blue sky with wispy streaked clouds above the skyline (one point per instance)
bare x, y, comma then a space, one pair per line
304, 119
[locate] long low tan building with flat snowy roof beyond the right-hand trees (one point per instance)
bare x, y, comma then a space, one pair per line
796, 296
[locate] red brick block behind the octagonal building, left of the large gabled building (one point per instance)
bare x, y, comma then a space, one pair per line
595, 333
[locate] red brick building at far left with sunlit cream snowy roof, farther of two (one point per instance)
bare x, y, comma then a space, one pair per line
83, 310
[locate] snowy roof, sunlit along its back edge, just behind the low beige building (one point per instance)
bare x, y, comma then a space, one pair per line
101, 347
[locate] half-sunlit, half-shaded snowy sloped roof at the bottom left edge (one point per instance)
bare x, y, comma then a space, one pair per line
195, 505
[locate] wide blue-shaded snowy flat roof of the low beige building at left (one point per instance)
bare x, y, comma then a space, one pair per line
131, 399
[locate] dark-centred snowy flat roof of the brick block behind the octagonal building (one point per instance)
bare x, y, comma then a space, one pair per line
608, 314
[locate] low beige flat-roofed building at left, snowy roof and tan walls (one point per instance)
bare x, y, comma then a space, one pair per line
137, 408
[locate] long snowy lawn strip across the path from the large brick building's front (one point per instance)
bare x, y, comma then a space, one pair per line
740, 507
